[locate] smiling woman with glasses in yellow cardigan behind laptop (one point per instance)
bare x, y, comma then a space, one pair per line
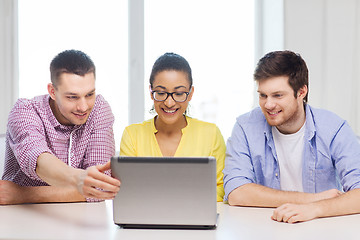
171, 132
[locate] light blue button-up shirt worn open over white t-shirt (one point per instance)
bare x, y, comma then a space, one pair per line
331, 156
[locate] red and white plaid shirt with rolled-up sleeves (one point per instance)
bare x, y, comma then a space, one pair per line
33, 129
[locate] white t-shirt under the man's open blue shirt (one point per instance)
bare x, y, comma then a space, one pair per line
289, 150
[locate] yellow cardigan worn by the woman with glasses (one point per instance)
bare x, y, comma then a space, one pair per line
199, 139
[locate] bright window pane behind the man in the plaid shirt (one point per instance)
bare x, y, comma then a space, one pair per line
99, 28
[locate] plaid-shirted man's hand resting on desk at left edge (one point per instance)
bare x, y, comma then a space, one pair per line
10, 193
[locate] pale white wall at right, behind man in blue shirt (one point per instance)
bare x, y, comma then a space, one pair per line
326, 34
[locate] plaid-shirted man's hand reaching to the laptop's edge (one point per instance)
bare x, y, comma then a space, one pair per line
94, 183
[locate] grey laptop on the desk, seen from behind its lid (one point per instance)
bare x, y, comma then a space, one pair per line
165, 192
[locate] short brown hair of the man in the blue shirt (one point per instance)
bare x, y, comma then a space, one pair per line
284, 63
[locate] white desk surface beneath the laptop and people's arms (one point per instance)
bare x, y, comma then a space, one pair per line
94, 221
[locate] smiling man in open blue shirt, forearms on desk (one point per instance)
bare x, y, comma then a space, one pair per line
289, 155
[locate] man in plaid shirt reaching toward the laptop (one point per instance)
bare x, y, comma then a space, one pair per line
58, 145
